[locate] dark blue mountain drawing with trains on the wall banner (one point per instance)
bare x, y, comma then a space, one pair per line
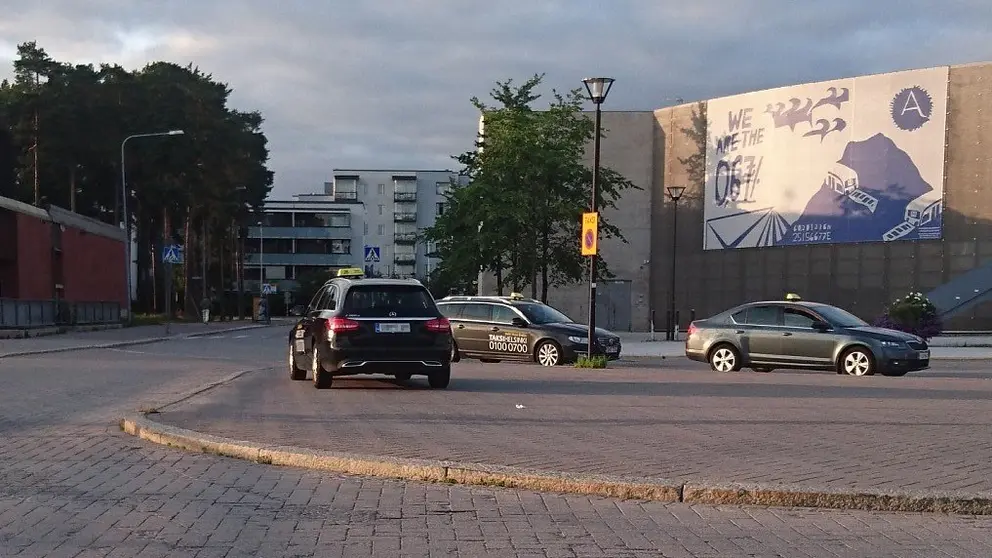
887, 182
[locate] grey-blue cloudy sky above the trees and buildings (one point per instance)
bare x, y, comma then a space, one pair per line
387, 83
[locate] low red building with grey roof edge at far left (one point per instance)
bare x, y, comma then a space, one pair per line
58, 267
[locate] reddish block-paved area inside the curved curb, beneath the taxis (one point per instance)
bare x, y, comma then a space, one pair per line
680, 421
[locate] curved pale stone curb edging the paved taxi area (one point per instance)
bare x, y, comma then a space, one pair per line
632, 488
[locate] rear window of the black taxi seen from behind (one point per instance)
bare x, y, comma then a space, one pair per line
381, 301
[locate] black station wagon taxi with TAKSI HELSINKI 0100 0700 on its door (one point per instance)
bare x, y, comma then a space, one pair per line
515, 328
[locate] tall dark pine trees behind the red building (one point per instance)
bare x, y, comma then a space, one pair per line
61, 130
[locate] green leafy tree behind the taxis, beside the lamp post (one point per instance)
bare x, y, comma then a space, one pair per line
520, 215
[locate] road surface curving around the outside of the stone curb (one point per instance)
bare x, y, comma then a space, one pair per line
71, 484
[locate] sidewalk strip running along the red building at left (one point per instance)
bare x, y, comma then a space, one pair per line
119, 337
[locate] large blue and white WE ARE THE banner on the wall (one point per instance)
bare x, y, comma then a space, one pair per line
850, 160
